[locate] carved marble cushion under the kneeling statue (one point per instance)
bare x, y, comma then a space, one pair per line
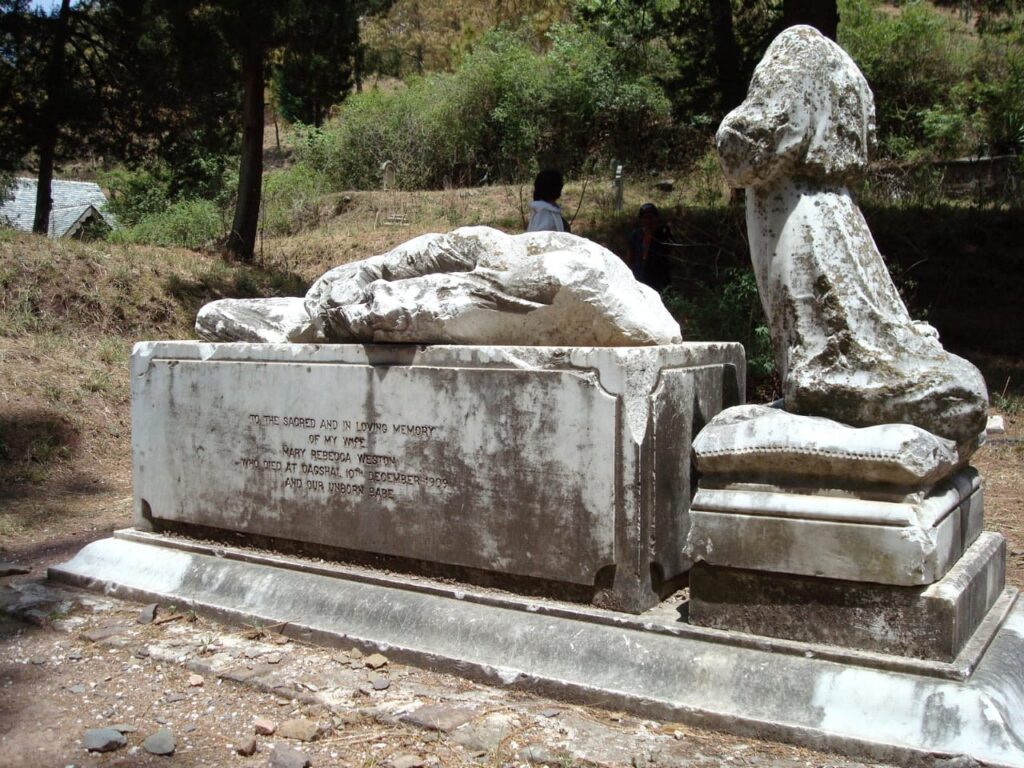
759, 442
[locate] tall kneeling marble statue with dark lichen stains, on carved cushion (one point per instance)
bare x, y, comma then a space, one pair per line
845, 345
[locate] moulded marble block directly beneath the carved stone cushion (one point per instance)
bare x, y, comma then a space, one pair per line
904, 542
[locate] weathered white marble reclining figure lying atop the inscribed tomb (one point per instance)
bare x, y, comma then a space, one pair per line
473, 286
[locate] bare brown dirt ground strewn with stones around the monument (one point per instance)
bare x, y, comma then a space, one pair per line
72, 661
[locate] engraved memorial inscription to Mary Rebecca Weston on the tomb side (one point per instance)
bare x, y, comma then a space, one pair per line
343, 457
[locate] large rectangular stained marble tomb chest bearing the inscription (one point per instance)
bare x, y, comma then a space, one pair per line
565, 470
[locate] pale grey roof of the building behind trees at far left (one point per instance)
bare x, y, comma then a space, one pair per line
74, 204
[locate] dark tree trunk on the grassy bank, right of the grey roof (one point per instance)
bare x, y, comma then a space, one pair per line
242, 241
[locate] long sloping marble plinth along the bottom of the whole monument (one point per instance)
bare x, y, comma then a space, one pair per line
876, 713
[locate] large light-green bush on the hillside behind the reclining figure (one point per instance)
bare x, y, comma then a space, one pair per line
503, 113
